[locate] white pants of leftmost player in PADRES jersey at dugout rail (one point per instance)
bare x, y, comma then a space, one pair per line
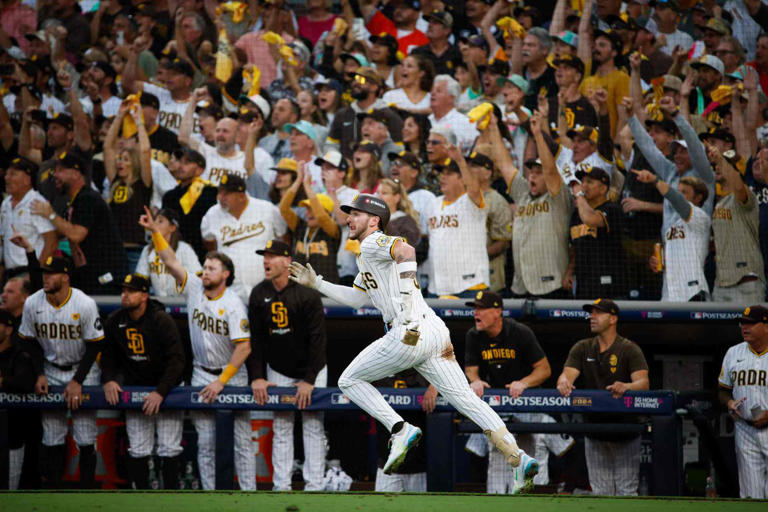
55, 423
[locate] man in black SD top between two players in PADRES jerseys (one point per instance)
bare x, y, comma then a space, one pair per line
143, 348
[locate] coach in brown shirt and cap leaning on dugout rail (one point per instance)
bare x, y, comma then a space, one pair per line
608, 361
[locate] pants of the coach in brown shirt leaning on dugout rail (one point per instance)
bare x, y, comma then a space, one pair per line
614, 466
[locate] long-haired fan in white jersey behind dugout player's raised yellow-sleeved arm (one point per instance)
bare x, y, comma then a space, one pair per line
152, 267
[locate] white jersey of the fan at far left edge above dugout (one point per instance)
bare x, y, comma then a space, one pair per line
20, 218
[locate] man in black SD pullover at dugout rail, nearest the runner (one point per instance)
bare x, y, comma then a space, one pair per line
288, 348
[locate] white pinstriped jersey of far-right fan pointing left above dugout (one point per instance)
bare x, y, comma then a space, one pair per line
686, 244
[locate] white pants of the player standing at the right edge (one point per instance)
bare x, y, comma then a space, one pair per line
752, 460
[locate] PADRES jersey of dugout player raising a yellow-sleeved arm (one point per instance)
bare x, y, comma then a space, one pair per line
214, 324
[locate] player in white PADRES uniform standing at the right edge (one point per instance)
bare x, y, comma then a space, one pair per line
743, 391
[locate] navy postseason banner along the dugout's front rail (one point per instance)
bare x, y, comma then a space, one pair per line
332, 399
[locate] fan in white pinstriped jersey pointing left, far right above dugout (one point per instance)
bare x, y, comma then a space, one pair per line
686, 240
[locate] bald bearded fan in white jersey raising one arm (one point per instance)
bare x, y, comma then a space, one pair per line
223, 159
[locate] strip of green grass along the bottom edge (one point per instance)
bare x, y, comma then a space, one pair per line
310, 502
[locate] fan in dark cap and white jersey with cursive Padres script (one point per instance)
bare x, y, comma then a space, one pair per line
239, 226
